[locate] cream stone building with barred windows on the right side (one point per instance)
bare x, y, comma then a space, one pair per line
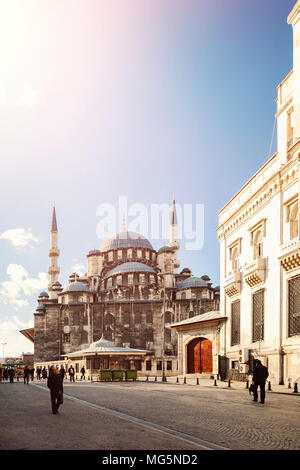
260, 248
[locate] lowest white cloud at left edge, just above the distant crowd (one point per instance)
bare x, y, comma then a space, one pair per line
10, 334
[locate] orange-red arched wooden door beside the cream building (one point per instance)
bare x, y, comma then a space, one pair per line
199, 356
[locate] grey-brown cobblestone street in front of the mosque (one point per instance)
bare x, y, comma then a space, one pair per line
146, 415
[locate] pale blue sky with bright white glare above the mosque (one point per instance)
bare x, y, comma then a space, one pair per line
102, 99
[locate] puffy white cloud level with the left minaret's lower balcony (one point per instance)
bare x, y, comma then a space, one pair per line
20, 283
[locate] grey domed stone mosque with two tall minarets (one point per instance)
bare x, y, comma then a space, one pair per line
130, 295
